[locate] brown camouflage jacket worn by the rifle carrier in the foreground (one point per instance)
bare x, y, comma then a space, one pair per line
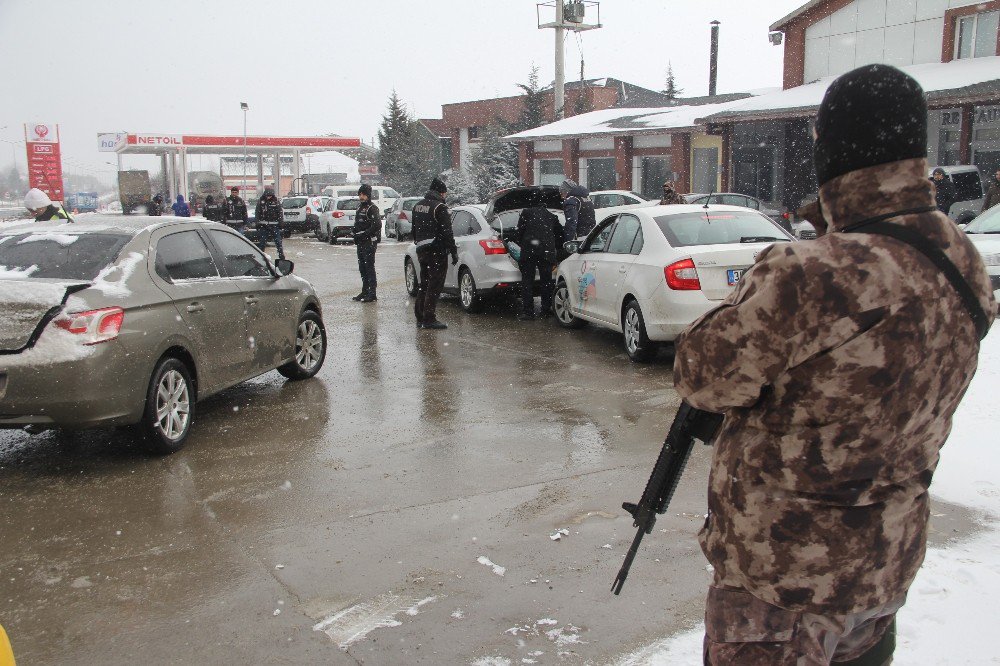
839, 363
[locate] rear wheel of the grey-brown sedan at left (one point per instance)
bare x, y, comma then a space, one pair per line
169, 411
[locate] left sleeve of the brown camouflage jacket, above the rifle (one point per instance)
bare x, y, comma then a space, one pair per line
775, 320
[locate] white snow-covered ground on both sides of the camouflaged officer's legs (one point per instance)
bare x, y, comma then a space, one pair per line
949, 614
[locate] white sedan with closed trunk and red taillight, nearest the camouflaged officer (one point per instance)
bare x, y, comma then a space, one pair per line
649, 272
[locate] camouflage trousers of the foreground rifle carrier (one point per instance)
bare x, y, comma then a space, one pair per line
740, 629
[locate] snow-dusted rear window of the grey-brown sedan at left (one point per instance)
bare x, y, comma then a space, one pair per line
60, 256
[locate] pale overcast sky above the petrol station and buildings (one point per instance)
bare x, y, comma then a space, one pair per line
313, 67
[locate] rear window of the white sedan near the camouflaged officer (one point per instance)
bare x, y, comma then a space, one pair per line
718, 228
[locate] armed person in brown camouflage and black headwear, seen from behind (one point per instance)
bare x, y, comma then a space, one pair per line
838, 363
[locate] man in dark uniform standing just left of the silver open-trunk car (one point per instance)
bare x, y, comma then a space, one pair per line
435, 240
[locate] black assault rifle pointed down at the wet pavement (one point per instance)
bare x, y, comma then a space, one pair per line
688, 425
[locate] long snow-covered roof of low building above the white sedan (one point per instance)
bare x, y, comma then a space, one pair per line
624, 121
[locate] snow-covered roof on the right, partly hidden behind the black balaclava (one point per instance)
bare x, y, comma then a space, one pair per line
966, 80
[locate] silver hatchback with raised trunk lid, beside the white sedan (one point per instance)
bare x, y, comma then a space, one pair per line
485, 269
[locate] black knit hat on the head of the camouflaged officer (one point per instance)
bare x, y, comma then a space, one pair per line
872, 115
